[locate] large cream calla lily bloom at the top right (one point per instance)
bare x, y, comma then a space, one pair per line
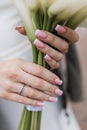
69, 6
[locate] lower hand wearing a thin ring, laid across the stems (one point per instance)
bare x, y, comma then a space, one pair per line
27, 83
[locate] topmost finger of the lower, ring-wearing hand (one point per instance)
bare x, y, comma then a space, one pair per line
39, 71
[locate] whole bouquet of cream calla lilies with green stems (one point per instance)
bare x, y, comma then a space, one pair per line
45, 15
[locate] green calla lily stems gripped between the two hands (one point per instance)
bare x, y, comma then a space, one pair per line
31, 120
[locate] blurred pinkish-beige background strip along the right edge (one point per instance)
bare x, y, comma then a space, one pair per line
80, 109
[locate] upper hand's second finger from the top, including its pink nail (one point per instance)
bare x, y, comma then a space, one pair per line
53, 40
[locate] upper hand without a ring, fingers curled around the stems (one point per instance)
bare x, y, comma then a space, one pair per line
45, 40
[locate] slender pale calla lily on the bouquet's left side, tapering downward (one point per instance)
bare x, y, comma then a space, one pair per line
26, 18
